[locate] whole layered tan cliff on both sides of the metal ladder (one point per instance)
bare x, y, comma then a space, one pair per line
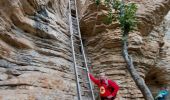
36, 60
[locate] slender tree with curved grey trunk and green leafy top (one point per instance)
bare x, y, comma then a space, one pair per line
126, 15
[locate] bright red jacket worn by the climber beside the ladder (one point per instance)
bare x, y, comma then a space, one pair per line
107, 88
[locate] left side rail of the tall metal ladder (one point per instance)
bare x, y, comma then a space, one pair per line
73, 53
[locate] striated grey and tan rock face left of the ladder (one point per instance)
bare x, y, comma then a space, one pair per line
35, 52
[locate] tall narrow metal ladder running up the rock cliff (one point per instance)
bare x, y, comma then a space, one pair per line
84, 86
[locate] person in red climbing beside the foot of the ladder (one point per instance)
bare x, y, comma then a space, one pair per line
108, 88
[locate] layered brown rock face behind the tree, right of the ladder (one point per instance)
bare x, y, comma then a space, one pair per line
103, 44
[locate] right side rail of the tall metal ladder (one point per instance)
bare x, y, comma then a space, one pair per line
82, 48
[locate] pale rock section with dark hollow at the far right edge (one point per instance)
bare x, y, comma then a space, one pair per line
159, 77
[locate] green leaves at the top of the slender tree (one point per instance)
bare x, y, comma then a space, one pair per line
126, 14
